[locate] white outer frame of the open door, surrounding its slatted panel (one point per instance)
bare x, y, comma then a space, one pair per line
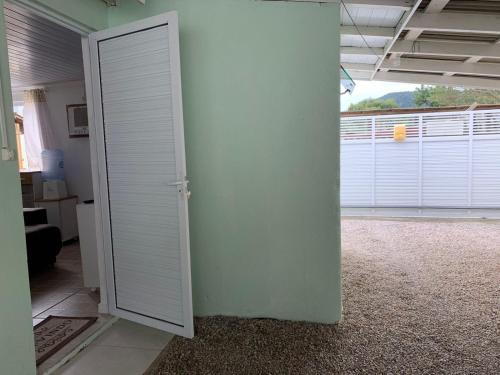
99, 170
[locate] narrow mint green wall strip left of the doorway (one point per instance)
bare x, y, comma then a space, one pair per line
17, 354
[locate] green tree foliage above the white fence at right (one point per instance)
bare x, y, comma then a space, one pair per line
441, 96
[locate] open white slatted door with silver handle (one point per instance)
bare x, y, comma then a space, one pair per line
143, 194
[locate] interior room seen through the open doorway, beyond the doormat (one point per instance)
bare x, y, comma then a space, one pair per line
50, 113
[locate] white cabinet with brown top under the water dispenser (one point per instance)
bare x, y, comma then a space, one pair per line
61, 212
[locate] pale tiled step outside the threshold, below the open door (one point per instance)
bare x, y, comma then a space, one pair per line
126, 349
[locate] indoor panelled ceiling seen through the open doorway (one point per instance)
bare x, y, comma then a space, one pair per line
40, 51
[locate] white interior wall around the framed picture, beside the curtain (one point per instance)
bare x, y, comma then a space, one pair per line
76, 150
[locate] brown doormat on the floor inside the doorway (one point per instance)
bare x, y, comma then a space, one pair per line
56, 331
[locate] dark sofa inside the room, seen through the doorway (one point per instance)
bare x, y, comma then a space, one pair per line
43, 241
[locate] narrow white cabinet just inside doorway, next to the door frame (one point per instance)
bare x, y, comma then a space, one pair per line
88, 244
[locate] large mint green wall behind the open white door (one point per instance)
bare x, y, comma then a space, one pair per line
261, 108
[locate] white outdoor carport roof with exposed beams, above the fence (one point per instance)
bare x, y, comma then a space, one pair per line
448, 42
